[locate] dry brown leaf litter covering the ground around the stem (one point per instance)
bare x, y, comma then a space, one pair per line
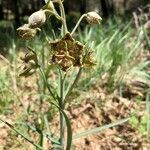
95, 108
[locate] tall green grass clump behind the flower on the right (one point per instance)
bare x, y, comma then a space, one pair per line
117, 48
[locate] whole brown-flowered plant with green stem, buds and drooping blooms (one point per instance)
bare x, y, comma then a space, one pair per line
66, 54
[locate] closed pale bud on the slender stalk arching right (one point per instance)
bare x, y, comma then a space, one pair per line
93, 18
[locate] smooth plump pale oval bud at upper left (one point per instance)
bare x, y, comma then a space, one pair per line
37, 19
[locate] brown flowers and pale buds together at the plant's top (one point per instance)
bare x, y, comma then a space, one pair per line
66, 52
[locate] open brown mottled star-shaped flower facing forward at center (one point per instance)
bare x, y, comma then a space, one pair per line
67, 52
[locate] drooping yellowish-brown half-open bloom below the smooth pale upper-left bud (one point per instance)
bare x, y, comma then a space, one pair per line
26, 33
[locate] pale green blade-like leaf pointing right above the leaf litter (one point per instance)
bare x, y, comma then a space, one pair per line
99, 129
